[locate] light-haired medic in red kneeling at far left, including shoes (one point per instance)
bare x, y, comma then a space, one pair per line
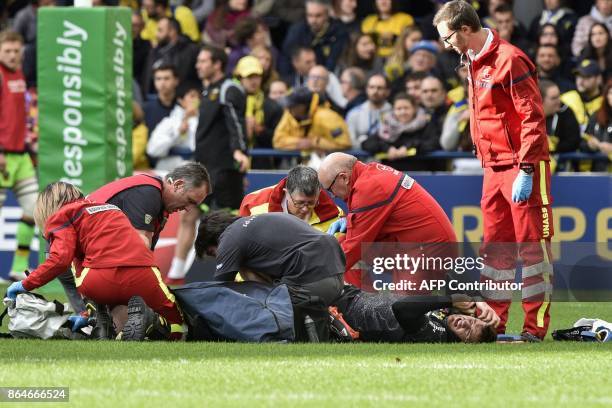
112, 264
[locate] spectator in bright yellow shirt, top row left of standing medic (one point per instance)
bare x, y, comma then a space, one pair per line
386, 25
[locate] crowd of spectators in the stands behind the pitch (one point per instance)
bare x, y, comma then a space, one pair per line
323, 76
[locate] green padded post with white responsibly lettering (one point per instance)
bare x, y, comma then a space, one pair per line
84, 95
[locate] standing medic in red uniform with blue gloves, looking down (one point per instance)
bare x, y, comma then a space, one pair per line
508, 129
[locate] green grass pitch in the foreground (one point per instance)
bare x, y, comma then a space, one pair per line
225, 374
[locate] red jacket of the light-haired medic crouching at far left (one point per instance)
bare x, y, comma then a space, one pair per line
96, 235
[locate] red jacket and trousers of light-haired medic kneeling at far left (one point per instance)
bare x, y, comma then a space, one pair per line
115, 264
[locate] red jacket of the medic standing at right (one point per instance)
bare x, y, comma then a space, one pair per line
507, 120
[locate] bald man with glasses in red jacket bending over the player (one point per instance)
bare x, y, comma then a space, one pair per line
385, 205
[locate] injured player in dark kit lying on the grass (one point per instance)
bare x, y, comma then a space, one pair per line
384, 317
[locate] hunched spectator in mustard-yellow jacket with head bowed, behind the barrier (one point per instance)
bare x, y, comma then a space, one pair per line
307, 126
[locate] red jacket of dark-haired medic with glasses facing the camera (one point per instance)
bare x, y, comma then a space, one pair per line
269, 199
